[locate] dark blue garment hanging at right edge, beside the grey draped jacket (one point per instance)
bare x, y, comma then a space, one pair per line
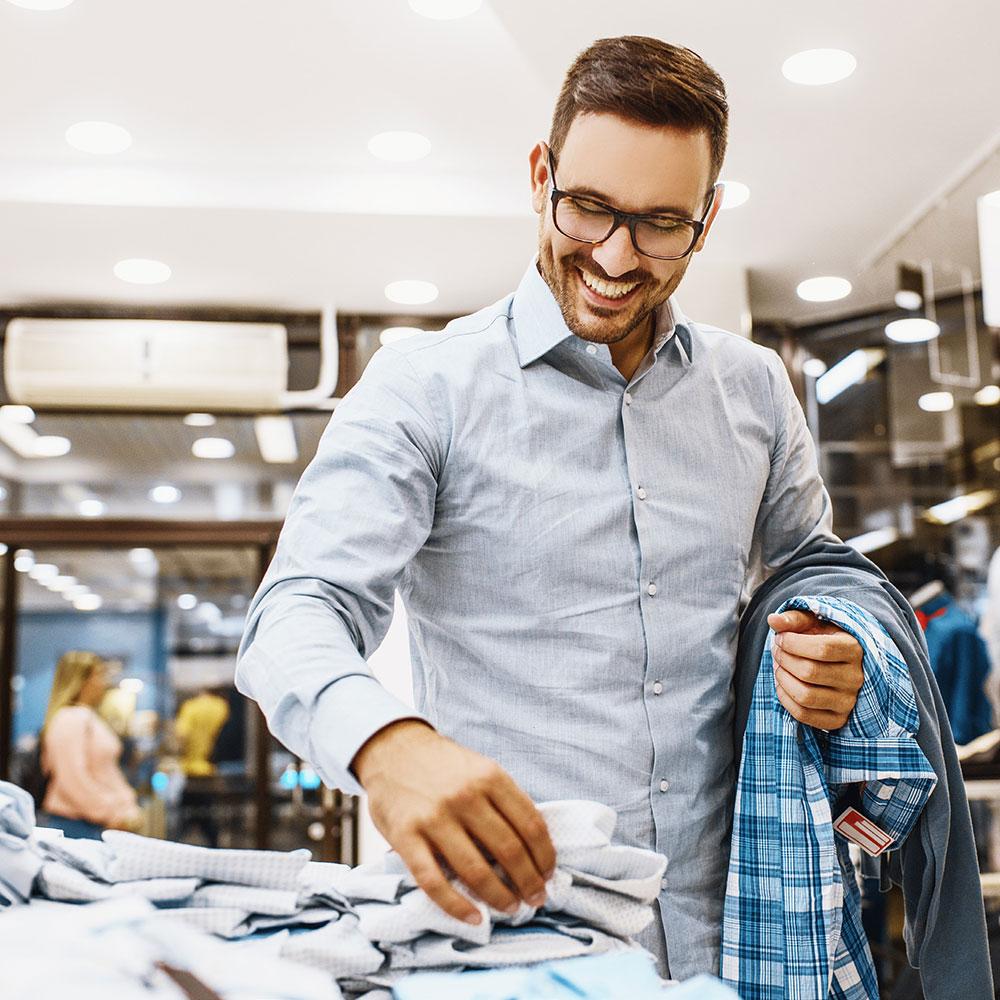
961, 665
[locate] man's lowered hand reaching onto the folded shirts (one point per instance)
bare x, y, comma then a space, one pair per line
436, 801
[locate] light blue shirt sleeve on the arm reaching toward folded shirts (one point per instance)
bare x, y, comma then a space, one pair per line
362, 510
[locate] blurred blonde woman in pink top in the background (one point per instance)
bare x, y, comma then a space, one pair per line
86, 791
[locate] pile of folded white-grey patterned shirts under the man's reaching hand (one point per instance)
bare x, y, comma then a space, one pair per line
366, 927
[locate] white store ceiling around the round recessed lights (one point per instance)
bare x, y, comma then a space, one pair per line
250, 175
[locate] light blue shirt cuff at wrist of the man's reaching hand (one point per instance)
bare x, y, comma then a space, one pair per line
347, 714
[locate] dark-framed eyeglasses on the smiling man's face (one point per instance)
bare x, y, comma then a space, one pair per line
588, 220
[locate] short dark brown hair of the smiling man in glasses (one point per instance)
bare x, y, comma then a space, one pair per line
648, 81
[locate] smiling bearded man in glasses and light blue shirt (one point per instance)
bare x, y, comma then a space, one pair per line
569, 489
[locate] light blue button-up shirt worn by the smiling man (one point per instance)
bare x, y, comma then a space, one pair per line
571, 549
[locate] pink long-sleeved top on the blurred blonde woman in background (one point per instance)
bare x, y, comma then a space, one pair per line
80, 755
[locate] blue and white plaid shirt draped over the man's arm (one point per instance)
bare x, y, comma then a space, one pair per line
792, 926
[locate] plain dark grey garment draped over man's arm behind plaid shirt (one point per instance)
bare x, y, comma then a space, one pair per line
936, 867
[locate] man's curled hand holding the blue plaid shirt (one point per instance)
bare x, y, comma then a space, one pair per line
817, 669
